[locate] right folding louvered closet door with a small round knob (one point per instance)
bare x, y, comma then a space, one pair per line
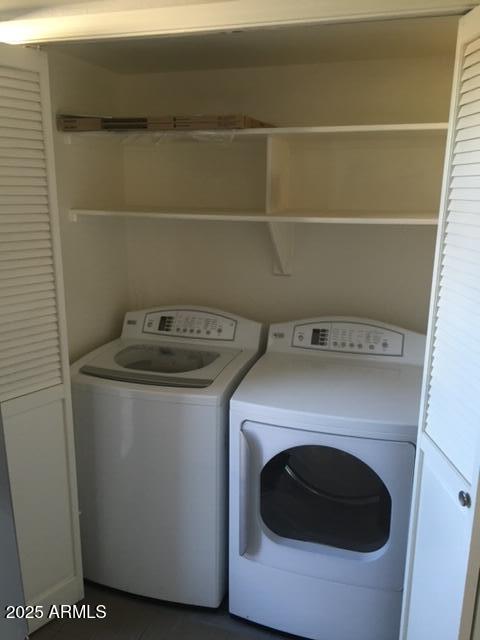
444, 553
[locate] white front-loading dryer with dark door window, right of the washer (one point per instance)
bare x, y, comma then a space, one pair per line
322, 448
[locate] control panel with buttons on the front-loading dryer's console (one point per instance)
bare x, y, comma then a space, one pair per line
349, 337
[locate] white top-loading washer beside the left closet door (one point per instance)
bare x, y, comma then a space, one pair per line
151, 428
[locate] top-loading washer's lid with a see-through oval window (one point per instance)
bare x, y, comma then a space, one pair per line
163, 364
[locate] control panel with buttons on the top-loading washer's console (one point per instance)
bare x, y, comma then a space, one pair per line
187, 323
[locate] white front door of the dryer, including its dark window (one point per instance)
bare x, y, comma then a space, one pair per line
325, 505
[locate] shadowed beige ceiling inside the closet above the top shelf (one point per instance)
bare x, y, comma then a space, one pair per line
407, 38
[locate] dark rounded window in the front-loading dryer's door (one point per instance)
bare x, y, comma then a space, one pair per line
327, 496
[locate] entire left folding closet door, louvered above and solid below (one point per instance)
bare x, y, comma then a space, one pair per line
35, 399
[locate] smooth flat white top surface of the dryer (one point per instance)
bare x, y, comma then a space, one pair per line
330, 387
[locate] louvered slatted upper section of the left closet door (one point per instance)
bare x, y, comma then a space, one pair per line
29, 332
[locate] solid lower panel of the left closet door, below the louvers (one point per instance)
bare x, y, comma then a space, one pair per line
36, 440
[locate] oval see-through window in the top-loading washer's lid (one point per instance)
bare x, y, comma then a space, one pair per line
164, 359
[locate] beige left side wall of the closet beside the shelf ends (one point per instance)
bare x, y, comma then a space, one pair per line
94, 251
